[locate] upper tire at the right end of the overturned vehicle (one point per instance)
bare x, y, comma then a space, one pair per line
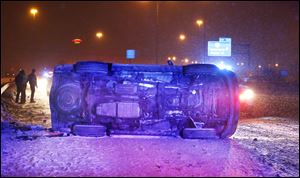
200, 68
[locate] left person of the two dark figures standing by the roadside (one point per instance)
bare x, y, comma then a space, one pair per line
21, 82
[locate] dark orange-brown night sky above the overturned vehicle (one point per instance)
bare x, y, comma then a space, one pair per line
271, 29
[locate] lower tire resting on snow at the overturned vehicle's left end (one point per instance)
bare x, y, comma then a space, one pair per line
89, 130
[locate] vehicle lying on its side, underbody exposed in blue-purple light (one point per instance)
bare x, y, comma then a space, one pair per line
193, 101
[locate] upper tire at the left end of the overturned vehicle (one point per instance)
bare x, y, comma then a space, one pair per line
91, 67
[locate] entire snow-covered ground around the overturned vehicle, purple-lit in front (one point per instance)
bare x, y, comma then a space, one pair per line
261, 146
